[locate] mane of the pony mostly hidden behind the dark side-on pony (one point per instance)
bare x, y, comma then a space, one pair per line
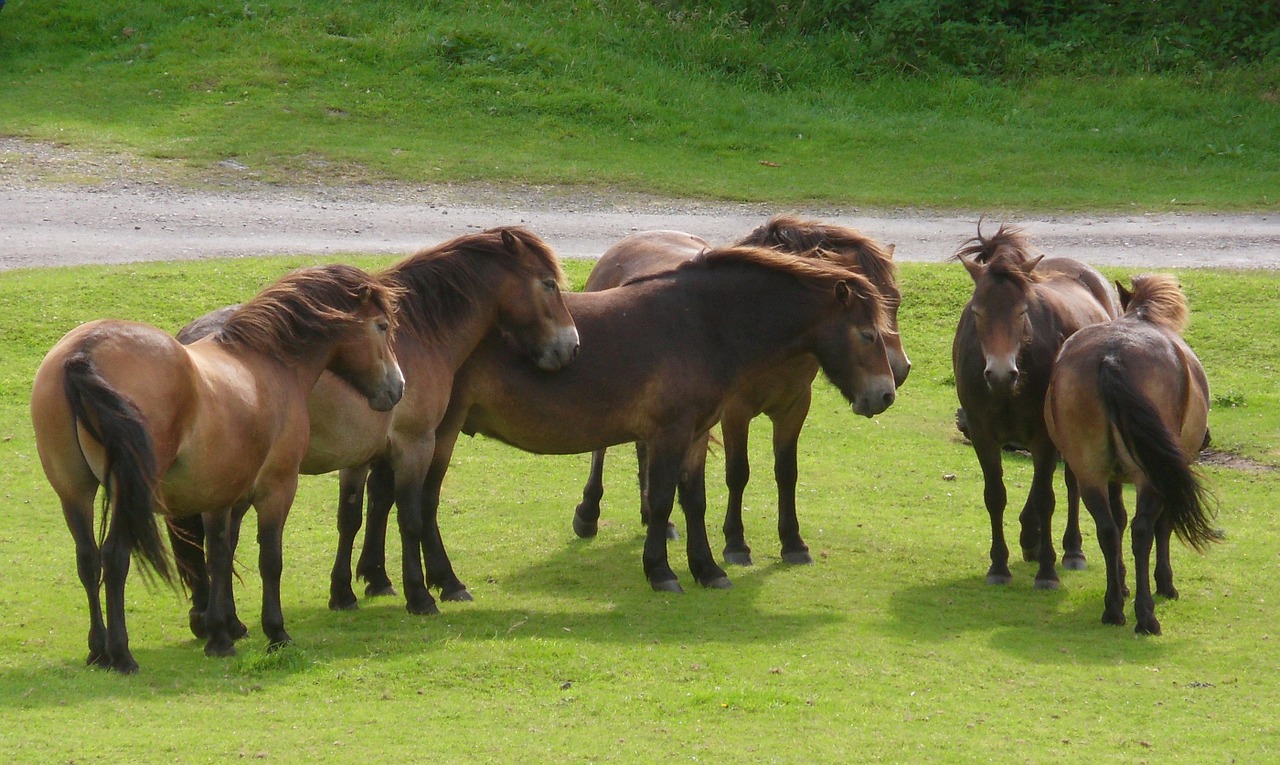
838, 244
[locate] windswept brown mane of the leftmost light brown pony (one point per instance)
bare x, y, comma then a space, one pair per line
305, 308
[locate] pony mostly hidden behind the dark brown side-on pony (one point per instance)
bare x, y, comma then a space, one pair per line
781, 392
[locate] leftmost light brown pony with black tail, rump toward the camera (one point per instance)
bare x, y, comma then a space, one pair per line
200, 430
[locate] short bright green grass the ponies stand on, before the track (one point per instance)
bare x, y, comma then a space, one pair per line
890, 649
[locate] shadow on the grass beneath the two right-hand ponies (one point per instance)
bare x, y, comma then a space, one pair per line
1037, 626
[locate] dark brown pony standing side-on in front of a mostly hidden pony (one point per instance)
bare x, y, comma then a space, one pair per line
660, 356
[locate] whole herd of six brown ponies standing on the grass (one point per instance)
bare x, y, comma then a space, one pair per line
376, 377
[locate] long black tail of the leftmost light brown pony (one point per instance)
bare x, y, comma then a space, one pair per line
131, 470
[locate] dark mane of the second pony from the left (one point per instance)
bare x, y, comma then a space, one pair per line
449, 281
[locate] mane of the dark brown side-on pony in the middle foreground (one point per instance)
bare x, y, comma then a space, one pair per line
815, 273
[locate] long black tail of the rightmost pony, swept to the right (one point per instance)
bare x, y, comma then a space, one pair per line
1186, 498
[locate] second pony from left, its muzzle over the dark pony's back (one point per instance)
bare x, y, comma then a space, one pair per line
504, 281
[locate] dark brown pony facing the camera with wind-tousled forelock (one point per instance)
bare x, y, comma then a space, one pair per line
1021, 313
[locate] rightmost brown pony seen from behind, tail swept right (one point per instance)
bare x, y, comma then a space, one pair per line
1128, 402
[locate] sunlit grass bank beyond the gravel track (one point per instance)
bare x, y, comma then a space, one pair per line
616, 95
